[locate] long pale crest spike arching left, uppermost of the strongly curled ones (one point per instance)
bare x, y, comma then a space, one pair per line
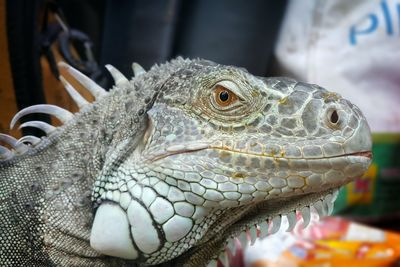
60, 113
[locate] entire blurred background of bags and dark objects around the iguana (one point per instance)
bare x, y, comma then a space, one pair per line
350, 47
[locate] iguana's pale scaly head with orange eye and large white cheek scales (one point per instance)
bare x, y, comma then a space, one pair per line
225, 153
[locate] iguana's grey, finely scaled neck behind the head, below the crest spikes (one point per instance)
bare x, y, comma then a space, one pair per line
47, 190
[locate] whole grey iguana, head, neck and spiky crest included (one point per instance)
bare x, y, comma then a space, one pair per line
171, 166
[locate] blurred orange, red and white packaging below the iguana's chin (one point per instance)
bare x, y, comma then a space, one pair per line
335, 242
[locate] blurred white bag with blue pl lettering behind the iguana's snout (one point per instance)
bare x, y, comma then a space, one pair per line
351, 47
